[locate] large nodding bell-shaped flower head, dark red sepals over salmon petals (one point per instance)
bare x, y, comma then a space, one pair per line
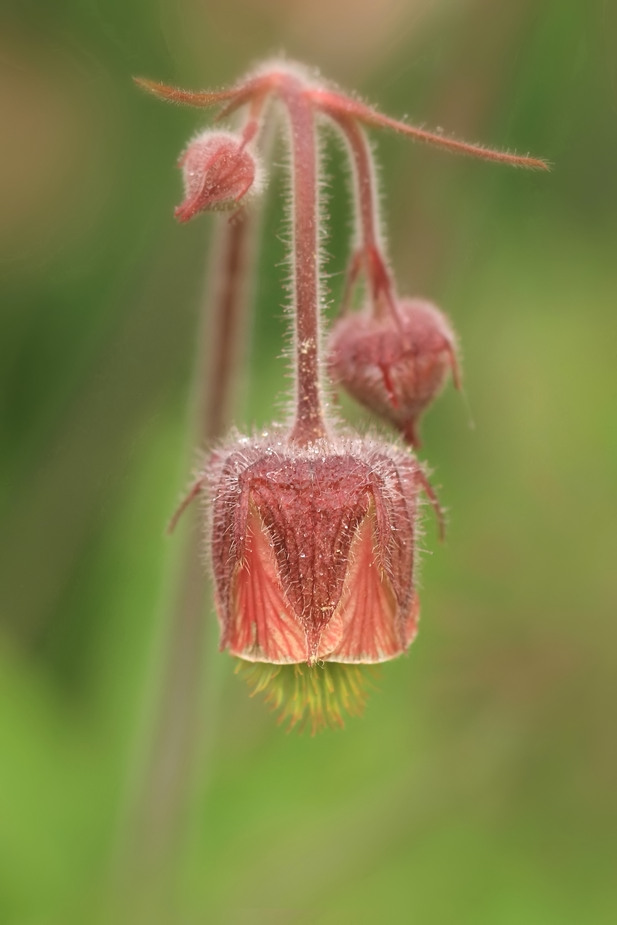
313, 550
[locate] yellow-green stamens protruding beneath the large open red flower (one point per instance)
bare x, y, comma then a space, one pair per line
316, 698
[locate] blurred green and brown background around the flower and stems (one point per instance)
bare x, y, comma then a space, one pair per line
481, 786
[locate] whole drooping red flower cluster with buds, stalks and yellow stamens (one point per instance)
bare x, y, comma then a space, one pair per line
312, 531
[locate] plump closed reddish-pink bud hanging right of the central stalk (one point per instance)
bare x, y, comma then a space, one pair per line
395, 365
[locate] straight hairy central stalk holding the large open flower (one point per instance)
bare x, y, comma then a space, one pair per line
309, 424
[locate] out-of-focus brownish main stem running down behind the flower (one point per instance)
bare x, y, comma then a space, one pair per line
174, 742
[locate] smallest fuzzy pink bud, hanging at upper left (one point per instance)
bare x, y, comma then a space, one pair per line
218, 173
